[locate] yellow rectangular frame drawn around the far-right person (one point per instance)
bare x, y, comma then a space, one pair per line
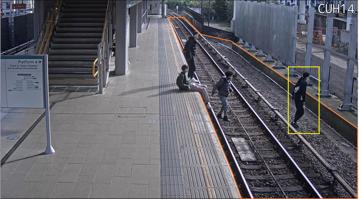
289, 98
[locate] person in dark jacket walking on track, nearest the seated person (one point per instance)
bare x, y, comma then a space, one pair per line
224, 88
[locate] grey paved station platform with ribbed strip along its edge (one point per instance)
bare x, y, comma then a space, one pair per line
142, 138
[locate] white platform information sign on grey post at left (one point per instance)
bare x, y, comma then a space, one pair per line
25, 84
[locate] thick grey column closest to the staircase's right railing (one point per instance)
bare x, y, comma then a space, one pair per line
121, 29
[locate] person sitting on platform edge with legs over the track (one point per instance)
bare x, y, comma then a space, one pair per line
184, 83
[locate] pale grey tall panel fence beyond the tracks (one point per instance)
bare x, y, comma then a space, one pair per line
269, 27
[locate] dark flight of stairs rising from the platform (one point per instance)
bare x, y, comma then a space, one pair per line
73, 47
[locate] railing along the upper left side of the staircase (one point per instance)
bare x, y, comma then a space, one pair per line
48, 28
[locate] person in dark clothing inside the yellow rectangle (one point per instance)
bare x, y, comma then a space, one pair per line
298, 94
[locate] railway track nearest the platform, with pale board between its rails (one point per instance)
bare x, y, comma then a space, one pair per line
270, 171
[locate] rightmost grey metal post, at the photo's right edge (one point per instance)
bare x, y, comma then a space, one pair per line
348, 84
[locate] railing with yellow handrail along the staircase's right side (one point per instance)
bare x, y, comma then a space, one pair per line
101, 65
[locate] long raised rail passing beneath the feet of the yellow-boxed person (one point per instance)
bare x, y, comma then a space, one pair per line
325, 163
